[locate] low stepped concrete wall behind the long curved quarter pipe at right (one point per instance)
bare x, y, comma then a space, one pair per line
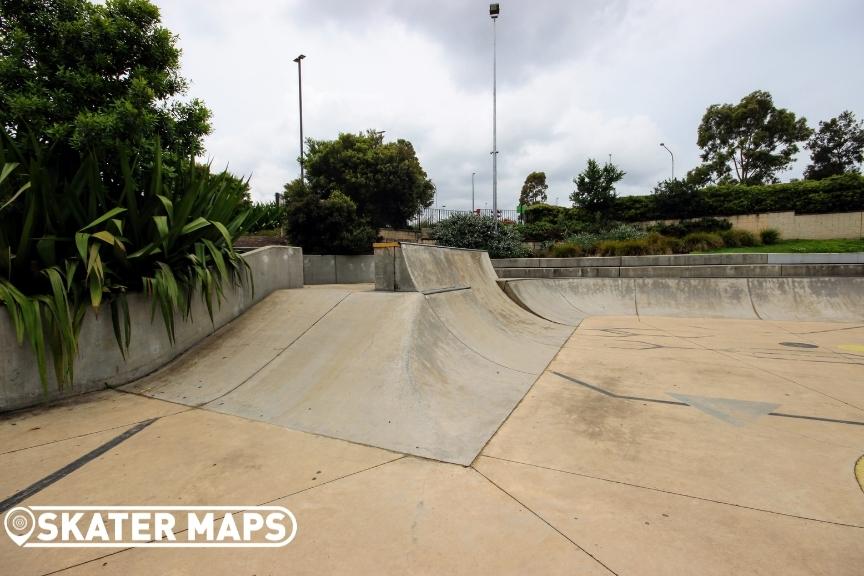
685, 266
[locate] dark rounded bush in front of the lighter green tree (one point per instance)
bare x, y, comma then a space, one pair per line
325, 225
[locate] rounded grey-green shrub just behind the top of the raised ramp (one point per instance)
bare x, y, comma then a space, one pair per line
479, 232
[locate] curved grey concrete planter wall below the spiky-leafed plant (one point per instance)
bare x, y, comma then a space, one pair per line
100, 364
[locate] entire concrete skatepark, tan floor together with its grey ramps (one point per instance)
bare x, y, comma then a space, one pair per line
451, 418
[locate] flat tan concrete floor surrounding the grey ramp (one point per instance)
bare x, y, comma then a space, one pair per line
648, 445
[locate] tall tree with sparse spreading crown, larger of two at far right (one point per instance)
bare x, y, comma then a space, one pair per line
748, 142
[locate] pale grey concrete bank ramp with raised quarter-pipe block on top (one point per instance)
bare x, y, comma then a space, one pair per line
432, 374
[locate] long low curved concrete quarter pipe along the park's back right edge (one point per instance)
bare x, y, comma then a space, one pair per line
568, 301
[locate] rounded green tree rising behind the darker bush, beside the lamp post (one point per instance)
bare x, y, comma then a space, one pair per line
385, 181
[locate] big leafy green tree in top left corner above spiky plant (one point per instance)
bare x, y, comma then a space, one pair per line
82, 76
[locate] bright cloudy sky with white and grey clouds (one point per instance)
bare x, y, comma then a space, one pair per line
576, 80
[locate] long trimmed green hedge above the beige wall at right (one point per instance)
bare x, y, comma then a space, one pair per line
844, 193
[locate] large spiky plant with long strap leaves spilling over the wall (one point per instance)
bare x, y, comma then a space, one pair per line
70, 242
